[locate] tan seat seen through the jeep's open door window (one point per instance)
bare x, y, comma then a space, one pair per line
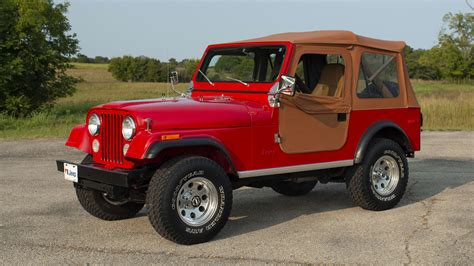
331, 82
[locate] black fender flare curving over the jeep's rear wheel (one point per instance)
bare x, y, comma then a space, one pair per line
370, 133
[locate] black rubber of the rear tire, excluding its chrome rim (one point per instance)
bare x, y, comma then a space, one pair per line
358, 180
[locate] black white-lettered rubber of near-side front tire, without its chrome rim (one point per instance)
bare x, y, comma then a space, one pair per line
162, 202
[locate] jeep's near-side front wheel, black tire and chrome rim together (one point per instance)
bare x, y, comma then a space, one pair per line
189, 200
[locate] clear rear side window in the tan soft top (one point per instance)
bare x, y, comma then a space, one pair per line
378, 76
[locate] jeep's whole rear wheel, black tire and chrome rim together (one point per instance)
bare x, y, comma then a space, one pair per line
379, 182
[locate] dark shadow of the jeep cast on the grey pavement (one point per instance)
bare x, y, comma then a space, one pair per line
256, 209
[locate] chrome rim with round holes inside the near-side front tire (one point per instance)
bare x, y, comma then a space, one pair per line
197, 201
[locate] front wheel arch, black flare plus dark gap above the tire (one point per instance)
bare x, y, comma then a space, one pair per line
200, 146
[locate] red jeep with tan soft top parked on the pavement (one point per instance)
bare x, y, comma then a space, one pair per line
283, 111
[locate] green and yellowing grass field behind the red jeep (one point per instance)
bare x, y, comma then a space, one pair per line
445, 106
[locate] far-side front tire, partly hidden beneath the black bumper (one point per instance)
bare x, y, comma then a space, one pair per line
94, 203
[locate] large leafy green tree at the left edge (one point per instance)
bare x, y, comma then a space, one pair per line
35, 47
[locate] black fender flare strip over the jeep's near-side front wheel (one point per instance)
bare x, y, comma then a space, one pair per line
159, 146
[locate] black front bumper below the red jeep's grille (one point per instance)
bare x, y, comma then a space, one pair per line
114, 182
